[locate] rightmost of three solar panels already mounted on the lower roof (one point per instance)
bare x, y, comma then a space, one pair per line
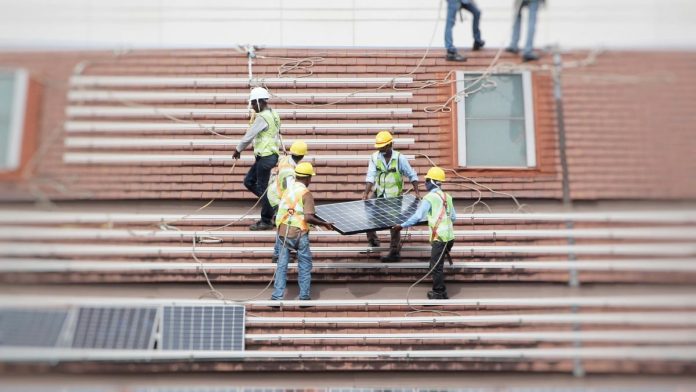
214, 327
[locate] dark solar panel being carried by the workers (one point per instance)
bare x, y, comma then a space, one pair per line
364, 215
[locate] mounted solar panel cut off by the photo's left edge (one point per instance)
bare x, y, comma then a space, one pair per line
31, 327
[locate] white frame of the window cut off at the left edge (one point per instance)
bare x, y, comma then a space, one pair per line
19, 106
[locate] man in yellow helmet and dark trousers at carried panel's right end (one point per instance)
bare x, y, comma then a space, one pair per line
438, 207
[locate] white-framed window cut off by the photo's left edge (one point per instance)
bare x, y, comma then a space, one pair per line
13, 100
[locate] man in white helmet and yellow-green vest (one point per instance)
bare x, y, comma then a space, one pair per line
264, 133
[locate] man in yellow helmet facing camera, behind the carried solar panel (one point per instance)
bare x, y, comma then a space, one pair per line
385, 176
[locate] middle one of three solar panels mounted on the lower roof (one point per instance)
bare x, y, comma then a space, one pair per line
114, 327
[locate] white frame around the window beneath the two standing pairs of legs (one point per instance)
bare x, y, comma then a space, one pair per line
528, 116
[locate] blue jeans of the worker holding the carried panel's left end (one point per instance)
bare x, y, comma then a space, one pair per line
304, 261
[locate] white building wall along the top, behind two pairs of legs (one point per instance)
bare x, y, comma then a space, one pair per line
402, 23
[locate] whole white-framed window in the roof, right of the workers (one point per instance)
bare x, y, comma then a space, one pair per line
495, 121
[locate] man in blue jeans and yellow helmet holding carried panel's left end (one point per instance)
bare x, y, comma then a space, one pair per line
295, 214
